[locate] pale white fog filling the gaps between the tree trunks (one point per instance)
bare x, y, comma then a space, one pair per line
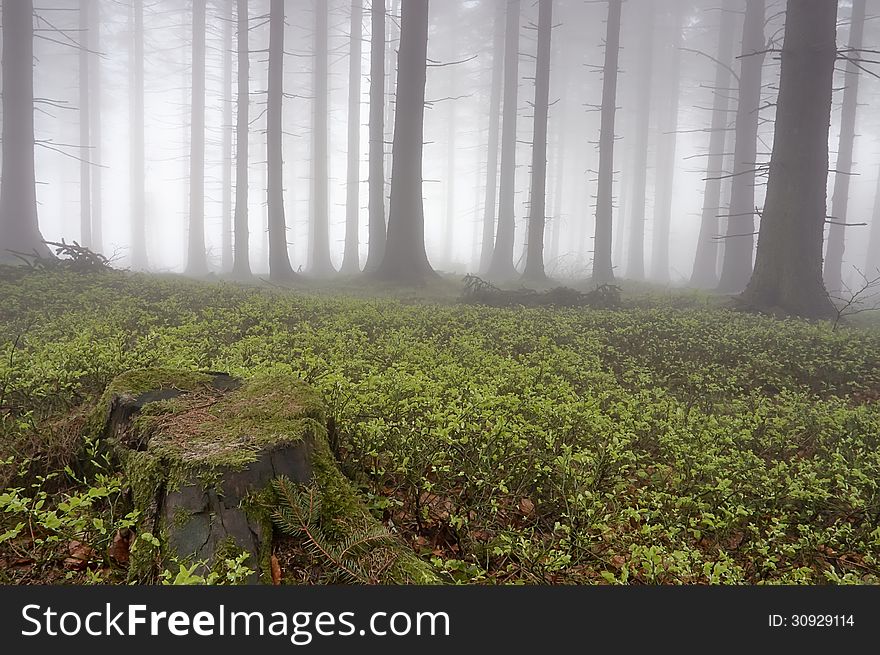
684, 40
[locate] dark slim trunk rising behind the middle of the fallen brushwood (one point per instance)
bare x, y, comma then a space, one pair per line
534, 270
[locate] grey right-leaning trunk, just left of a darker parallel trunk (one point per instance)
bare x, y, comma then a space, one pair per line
705, 274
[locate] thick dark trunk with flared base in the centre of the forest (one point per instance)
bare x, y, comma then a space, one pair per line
405, 258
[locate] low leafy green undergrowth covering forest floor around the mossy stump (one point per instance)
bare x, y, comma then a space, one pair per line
670, 440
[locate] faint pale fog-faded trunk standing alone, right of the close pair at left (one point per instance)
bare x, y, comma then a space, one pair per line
136, 148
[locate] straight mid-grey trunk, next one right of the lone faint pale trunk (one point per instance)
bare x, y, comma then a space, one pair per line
196, 261
